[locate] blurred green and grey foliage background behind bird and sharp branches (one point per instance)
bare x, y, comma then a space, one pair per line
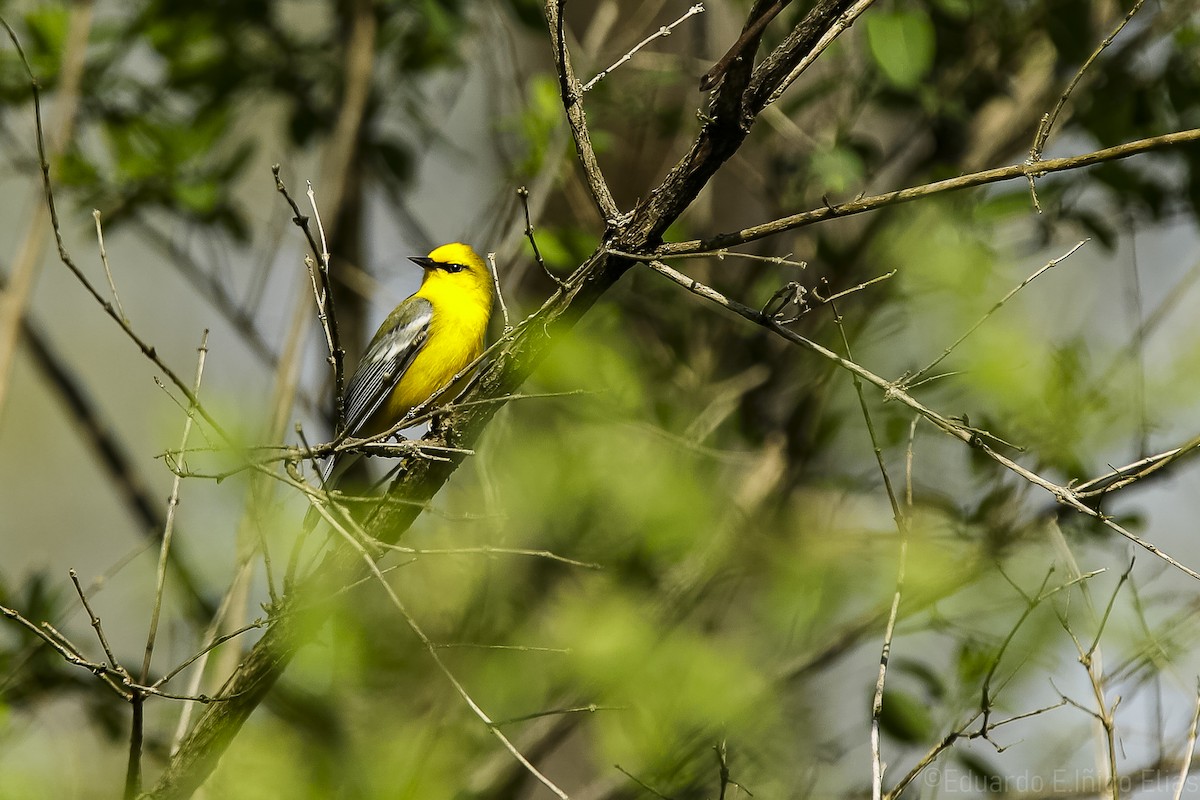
731, 551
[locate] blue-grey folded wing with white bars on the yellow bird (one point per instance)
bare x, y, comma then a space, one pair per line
388, 357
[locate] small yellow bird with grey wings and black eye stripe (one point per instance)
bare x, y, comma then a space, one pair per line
428, 340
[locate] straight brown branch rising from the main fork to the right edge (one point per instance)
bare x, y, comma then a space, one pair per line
970, 181
